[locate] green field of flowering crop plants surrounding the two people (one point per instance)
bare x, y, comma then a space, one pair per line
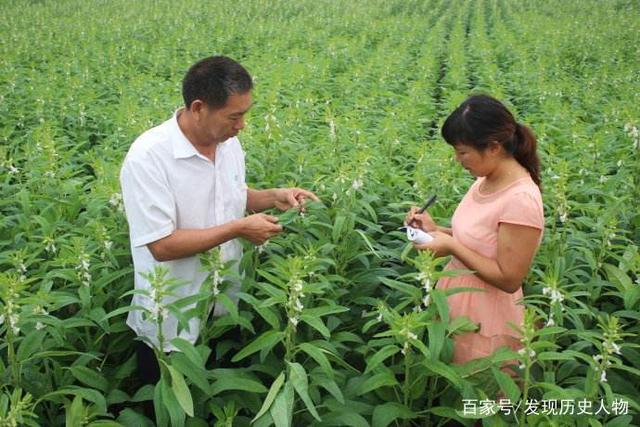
339, 323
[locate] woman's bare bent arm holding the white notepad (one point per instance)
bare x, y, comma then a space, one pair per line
517, 245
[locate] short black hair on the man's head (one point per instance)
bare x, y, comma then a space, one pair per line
213, 79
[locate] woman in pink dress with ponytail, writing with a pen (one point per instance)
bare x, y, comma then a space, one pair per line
497, 227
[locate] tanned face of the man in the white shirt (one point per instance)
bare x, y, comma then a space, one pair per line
220, 124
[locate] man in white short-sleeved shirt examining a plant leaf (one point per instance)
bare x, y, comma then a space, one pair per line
184, 191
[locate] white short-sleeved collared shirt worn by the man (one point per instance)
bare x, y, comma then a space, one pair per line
168, 185
